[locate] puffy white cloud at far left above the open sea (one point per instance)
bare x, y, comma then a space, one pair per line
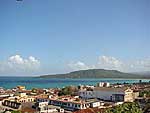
19, 65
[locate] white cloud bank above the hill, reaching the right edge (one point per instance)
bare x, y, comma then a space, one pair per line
112, 63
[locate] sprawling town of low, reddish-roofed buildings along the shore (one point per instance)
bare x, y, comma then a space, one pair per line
75, 99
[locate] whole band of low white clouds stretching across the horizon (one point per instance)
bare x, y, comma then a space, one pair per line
18, 65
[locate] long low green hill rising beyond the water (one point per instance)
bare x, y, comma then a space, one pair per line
95, 73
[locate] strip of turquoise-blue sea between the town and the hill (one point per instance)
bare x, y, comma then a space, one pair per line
30, 82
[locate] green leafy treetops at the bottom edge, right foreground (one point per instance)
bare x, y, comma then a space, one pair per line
125, 108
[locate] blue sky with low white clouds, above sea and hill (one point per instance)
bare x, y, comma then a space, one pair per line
60, 36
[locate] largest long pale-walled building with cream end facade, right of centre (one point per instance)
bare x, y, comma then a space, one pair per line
109, 94
